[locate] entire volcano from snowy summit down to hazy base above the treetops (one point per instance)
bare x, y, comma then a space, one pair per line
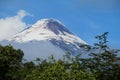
46, 37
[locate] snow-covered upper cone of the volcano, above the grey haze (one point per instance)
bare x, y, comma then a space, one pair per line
47, 29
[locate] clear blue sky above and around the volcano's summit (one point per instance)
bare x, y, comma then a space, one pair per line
85, 18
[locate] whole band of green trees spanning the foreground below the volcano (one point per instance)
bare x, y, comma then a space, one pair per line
103, 63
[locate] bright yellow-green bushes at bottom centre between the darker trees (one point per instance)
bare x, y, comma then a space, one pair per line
59, 70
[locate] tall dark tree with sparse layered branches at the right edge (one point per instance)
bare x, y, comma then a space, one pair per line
103, 62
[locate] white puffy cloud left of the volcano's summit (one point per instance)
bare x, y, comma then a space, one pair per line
11, 25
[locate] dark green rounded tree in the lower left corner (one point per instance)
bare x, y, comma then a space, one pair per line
10, 62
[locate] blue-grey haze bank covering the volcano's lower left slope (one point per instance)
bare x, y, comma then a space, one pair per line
37, 49
